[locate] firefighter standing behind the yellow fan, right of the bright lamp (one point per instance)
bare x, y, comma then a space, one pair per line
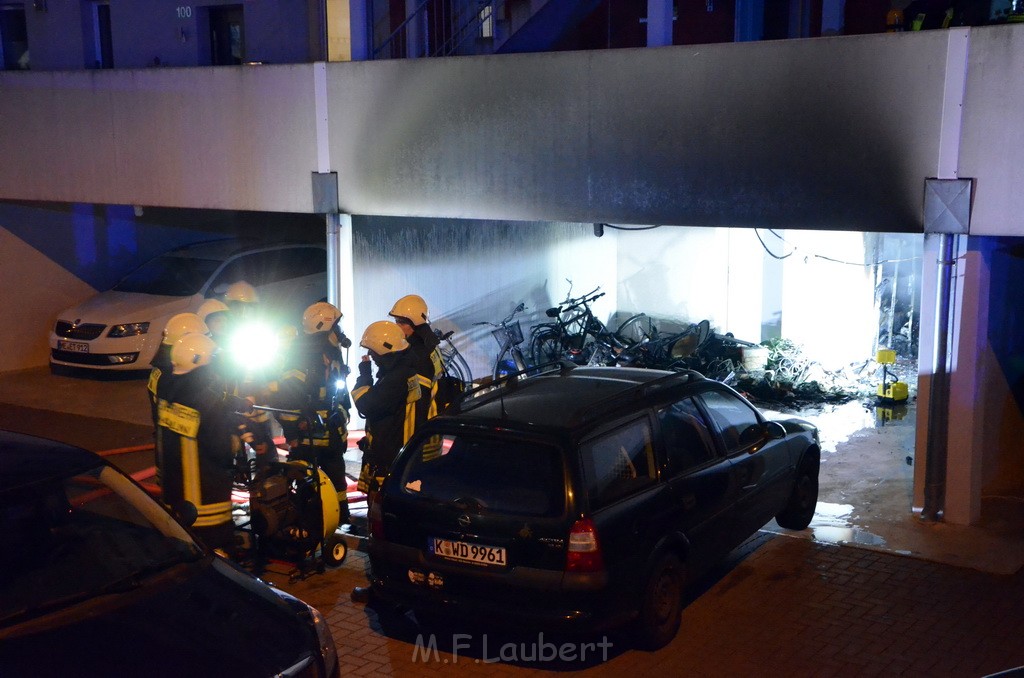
314, 383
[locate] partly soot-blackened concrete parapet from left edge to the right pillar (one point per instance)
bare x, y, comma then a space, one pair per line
825, 134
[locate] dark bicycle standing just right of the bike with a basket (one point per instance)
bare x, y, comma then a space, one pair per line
572, 335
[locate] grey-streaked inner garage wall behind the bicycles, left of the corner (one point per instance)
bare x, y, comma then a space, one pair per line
477, 272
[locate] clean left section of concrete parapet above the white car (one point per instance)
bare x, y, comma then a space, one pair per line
219, 139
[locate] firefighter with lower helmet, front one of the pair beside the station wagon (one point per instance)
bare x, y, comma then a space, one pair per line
389, 405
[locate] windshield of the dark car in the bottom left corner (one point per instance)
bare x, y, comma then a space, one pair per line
93, 534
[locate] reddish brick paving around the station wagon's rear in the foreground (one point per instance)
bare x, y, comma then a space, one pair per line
781, 607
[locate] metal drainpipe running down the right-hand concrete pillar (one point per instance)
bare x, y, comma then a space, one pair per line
938, 409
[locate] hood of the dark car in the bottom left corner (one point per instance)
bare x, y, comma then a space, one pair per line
205, 619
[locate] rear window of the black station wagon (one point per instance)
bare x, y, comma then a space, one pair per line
500, 475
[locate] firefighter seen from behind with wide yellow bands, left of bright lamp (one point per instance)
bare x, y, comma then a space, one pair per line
198, 437
